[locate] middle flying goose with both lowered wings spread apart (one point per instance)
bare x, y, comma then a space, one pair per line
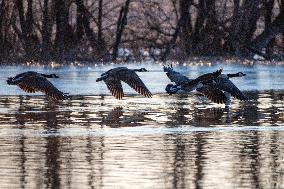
113, 79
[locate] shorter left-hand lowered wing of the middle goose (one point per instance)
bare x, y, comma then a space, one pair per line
114, 85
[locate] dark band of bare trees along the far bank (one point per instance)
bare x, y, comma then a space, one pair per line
101, 29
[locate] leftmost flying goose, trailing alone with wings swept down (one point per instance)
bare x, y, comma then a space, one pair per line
32, 82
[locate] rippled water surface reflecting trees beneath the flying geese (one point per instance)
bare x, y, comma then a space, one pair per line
178, 141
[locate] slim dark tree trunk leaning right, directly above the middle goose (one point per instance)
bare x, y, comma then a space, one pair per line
121, 23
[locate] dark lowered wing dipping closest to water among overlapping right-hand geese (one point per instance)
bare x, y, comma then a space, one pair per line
213, 94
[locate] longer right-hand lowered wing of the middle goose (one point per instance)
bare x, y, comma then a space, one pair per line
133, 80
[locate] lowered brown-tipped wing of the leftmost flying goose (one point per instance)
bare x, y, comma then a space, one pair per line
36, 83
